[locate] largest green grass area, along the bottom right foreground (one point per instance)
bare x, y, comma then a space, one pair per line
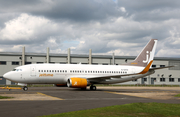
127, 110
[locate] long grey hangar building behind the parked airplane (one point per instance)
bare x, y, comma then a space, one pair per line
168, 76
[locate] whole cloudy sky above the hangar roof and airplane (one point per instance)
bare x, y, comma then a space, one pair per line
122, 27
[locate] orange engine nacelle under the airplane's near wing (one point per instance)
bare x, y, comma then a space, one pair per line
77, 82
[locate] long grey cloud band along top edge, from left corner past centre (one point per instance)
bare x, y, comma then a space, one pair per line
76, 10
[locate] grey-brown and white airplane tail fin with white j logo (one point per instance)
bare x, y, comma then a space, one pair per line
145, 58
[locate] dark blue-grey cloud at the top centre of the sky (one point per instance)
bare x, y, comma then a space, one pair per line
80, 10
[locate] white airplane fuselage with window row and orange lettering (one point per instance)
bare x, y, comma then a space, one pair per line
59, 73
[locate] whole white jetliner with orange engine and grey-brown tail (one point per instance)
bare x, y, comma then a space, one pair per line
81, 76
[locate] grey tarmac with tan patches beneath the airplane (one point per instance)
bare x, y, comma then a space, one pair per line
38, 101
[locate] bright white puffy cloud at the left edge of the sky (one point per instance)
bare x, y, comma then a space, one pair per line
26, 28
